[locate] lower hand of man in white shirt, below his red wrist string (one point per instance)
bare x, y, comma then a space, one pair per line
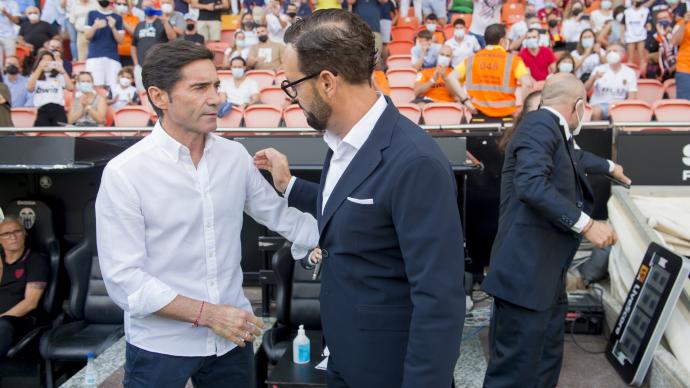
229, 322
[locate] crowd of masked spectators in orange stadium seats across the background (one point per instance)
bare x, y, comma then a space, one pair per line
78, 62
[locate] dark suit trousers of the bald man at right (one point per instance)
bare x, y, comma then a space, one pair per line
525, 346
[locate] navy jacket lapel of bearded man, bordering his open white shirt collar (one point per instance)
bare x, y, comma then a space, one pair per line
364, 163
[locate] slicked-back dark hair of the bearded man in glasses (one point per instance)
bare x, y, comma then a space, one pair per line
335, 40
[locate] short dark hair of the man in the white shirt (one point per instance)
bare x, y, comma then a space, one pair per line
164, 62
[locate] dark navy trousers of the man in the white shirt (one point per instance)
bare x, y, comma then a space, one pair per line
144, 369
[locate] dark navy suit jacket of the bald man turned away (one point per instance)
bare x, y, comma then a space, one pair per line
543, 191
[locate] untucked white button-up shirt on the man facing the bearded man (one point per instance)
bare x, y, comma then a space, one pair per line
168, 228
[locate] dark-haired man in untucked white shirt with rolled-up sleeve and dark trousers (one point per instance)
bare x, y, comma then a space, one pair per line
169, 216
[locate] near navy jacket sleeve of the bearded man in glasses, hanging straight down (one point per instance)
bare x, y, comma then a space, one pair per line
427, 222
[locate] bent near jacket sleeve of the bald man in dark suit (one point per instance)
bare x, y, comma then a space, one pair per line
535, 145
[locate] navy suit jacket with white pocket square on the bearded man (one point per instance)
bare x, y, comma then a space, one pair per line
392, 298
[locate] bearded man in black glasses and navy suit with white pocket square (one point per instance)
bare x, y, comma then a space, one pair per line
392, 299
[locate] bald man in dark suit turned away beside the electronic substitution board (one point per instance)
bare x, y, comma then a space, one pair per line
545, 199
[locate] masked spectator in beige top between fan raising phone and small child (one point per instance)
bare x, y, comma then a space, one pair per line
88, 108
